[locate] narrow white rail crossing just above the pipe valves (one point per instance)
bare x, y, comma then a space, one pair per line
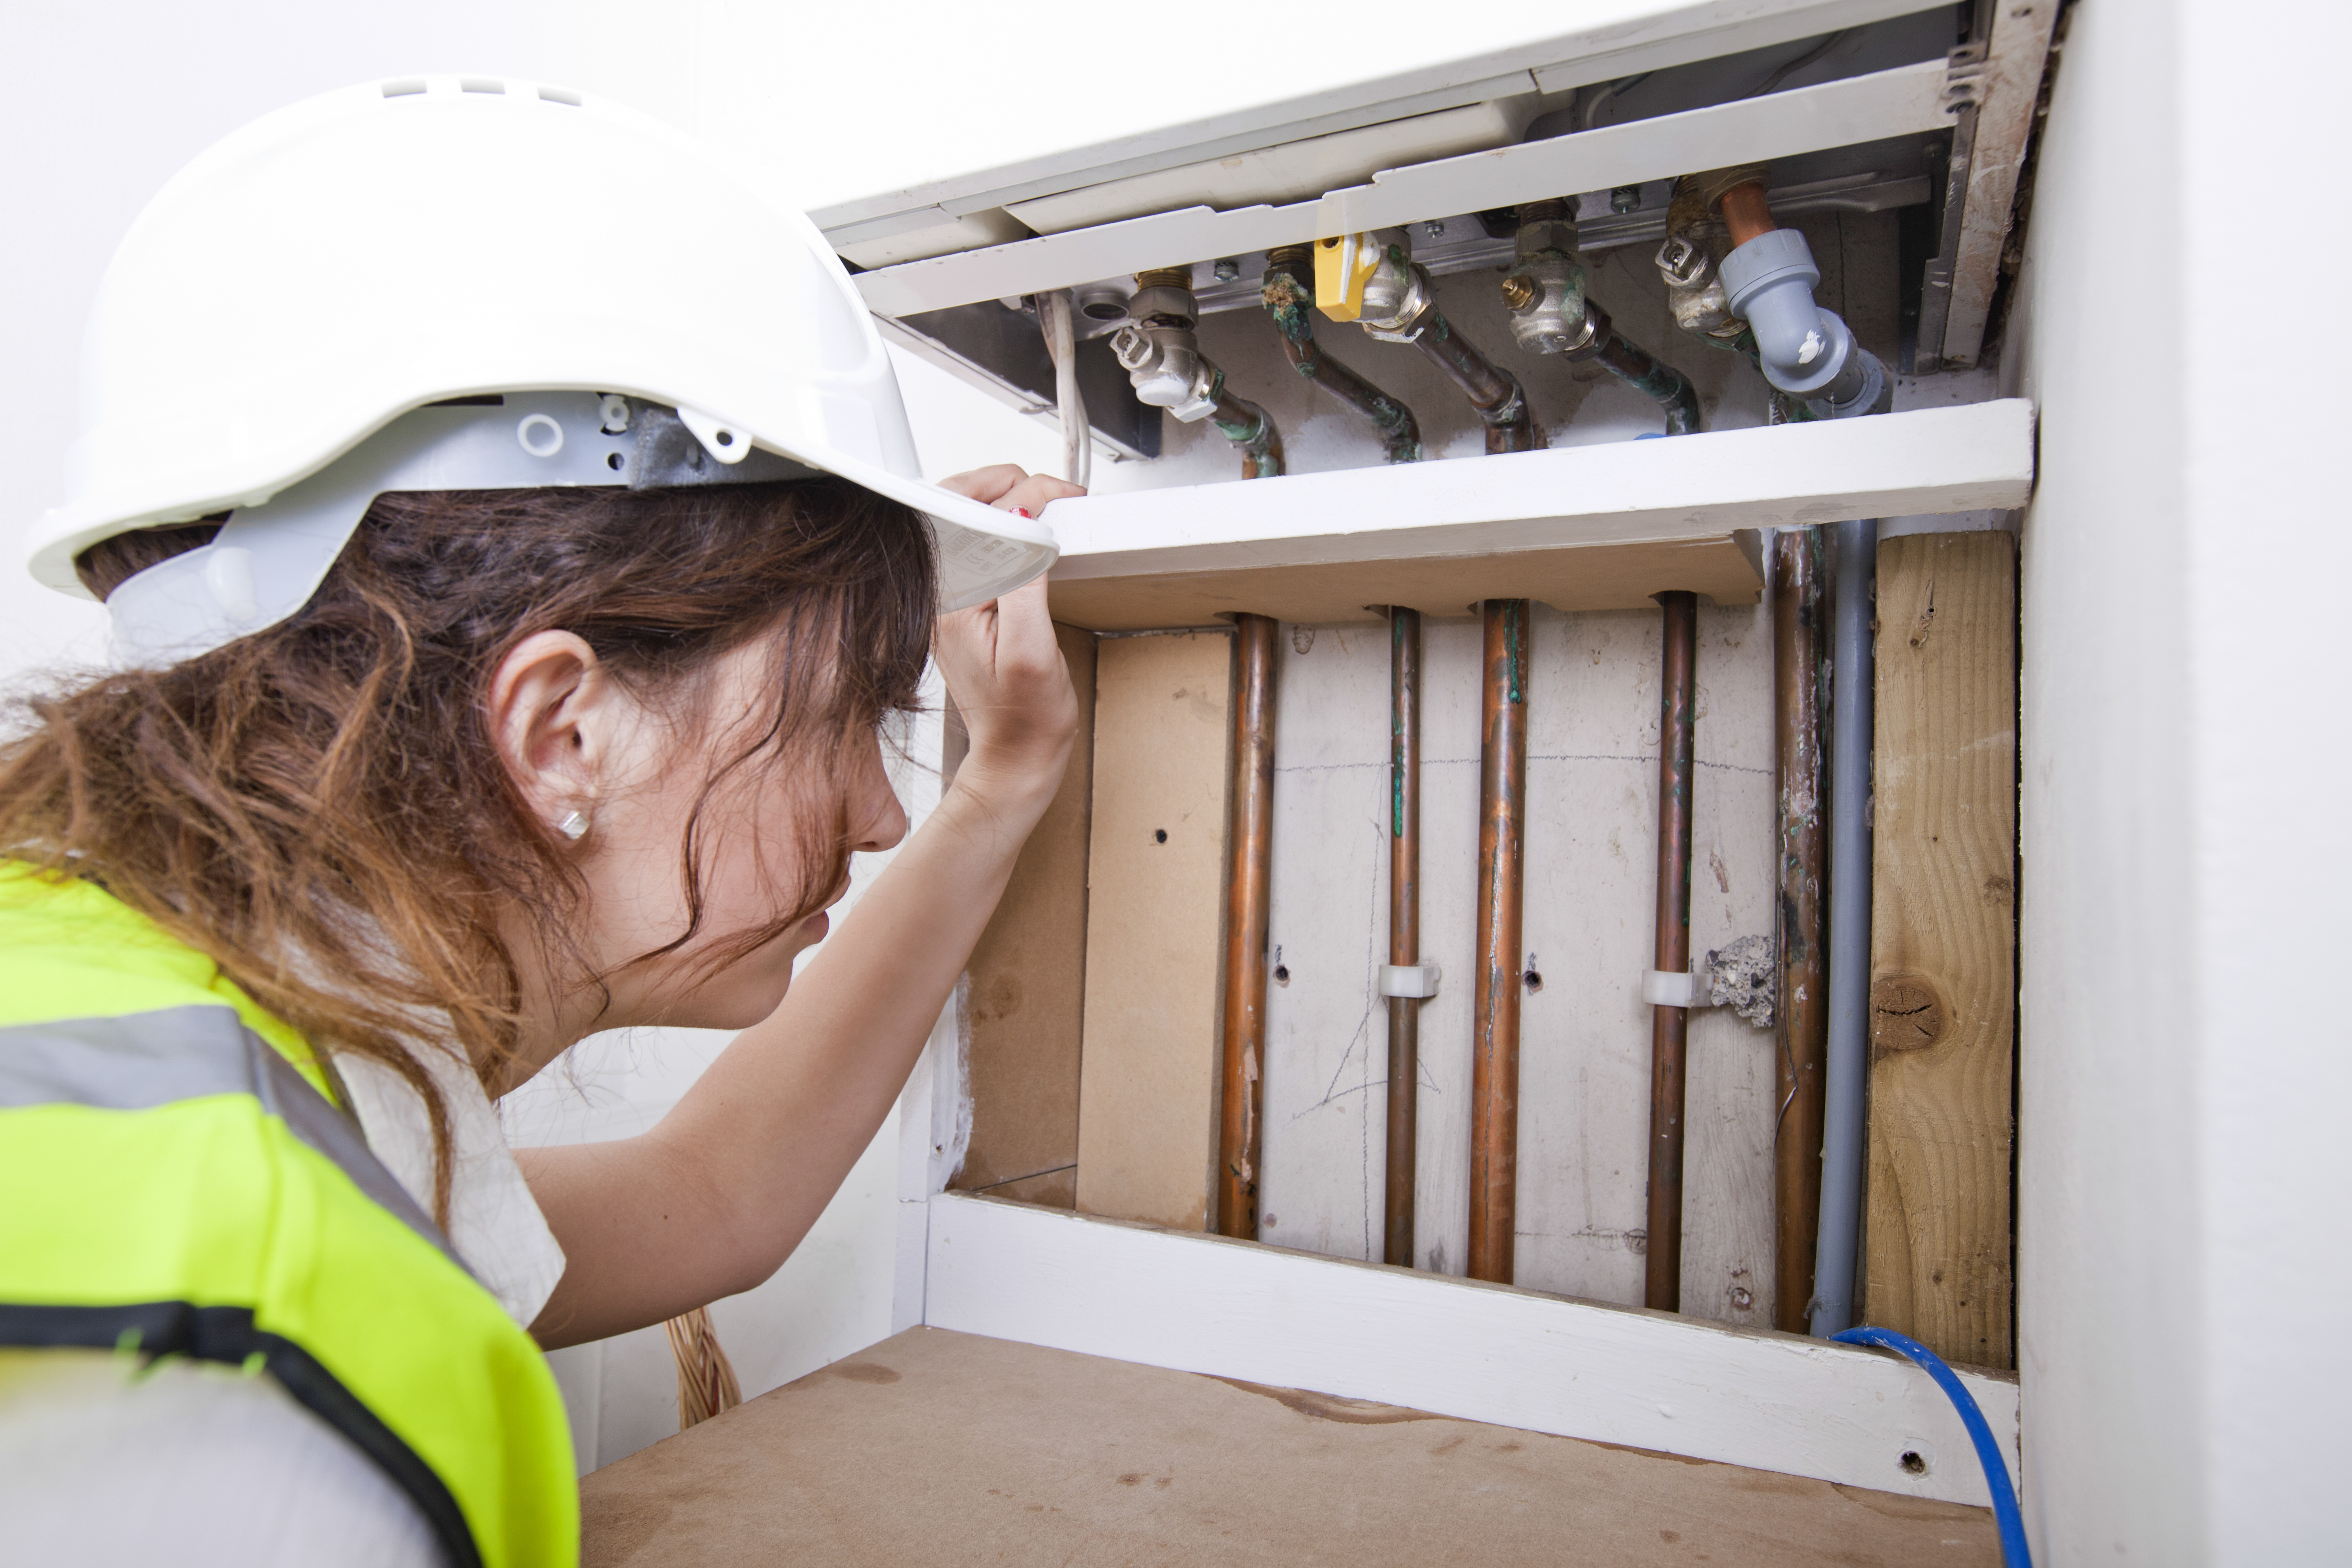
1746, 130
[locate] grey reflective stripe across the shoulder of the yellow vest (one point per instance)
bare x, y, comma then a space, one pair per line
142, 1061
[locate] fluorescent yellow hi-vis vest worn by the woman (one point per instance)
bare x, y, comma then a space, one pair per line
178, 1184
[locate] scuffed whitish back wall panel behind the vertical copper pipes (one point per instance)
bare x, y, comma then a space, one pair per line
1591, 876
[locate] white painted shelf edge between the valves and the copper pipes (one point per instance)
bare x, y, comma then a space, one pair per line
1692, 488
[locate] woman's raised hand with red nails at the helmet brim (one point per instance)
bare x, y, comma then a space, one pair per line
1005, 671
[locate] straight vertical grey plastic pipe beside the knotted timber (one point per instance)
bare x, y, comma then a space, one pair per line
1847, 1066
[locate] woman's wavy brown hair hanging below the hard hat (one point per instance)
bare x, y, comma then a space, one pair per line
321, 808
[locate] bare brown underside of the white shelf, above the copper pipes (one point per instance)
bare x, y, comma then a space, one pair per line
1582, 577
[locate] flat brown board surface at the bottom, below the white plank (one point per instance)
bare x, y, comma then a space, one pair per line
951, 1449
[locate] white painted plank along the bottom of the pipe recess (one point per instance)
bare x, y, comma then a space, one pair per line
1455, 1348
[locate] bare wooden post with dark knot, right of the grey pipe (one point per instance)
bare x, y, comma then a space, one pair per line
1937, 1235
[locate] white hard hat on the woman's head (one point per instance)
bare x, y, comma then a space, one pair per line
589, 283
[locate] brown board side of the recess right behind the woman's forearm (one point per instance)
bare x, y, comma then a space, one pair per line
1024, 1003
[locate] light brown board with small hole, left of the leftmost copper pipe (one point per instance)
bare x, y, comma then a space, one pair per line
1163, 739
